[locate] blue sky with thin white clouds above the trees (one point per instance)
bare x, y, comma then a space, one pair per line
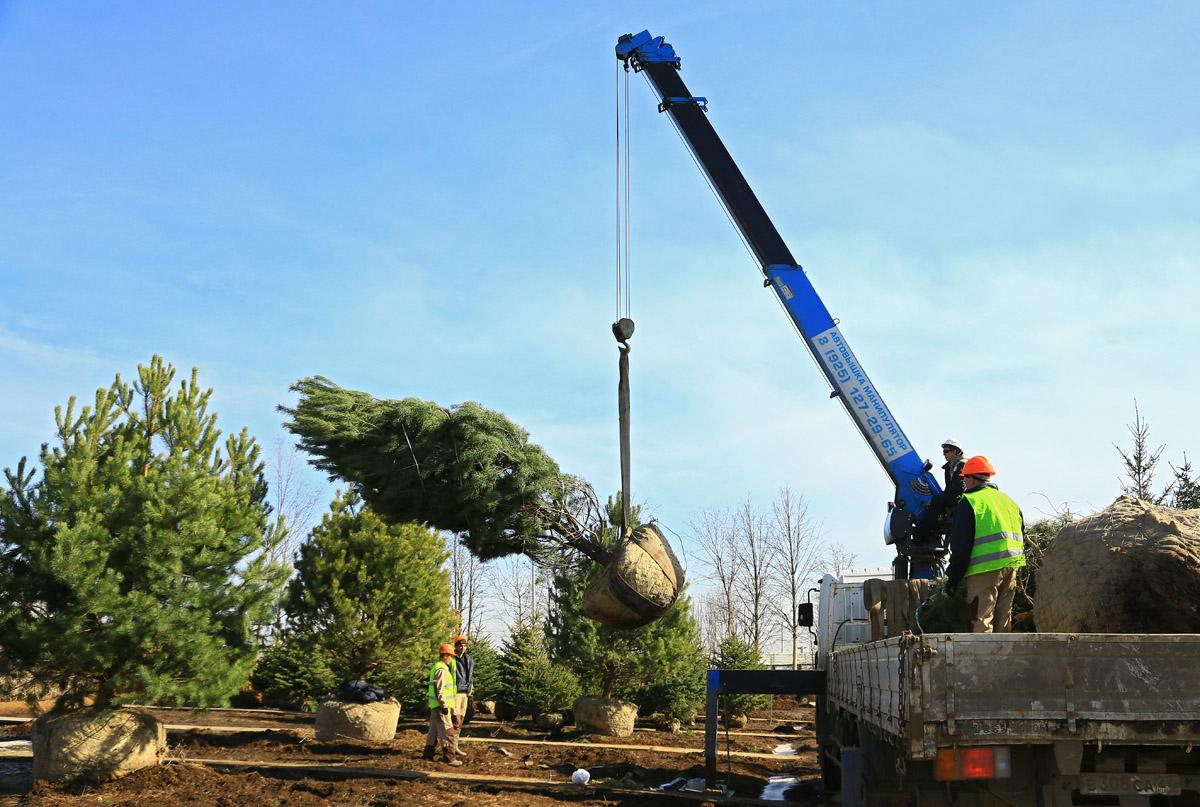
1000, 202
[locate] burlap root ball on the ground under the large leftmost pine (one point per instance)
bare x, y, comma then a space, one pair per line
95, 745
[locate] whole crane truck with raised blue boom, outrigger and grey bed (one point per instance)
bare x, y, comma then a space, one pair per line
949, 719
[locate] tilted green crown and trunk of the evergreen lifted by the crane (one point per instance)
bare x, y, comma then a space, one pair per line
465, 469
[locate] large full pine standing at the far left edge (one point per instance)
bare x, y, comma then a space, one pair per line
136, 567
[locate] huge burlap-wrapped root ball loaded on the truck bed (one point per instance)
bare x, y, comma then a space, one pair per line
1133, 567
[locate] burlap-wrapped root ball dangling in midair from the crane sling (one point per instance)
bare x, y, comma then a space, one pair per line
641, 583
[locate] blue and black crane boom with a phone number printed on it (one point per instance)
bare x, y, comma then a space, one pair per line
915, 486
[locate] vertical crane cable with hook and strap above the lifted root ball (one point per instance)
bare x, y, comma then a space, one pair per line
623, 326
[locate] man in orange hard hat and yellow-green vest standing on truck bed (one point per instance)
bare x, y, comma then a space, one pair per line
987, 548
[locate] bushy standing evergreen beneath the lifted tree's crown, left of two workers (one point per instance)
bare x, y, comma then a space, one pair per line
373, 596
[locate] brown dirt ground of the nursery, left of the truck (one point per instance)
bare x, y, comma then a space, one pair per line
286, 738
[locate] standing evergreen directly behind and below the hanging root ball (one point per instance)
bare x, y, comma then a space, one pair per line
661, 667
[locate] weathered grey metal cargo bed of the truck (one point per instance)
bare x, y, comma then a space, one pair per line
961, 689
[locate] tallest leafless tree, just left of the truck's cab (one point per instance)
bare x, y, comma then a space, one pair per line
796, 554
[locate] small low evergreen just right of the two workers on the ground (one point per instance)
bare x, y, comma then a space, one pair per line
530, 683
